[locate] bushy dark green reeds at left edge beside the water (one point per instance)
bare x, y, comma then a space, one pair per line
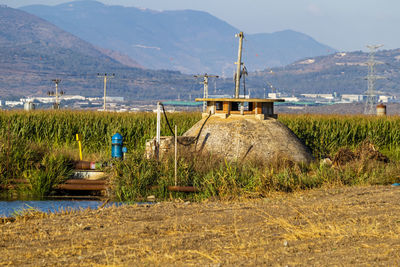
42, 168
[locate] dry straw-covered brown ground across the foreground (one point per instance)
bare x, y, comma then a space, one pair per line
357, 226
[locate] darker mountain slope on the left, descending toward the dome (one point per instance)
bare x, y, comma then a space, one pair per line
34, 51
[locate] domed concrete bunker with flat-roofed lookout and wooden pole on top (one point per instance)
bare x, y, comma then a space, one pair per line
238, 128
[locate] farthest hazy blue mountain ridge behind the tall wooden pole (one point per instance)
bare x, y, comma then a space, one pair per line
189, 41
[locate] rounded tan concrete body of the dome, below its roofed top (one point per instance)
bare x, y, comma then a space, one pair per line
246, 137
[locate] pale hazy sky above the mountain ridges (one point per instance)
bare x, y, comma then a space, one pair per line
343, 24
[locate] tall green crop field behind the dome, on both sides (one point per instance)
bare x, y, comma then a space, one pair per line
324, 134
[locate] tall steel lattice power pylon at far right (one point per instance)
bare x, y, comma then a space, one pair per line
371, 94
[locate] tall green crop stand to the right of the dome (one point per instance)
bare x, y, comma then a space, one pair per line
325, 134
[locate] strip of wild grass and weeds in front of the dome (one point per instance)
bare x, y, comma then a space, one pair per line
136, 178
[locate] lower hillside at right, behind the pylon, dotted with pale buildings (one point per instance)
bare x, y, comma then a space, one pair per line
344, 73
